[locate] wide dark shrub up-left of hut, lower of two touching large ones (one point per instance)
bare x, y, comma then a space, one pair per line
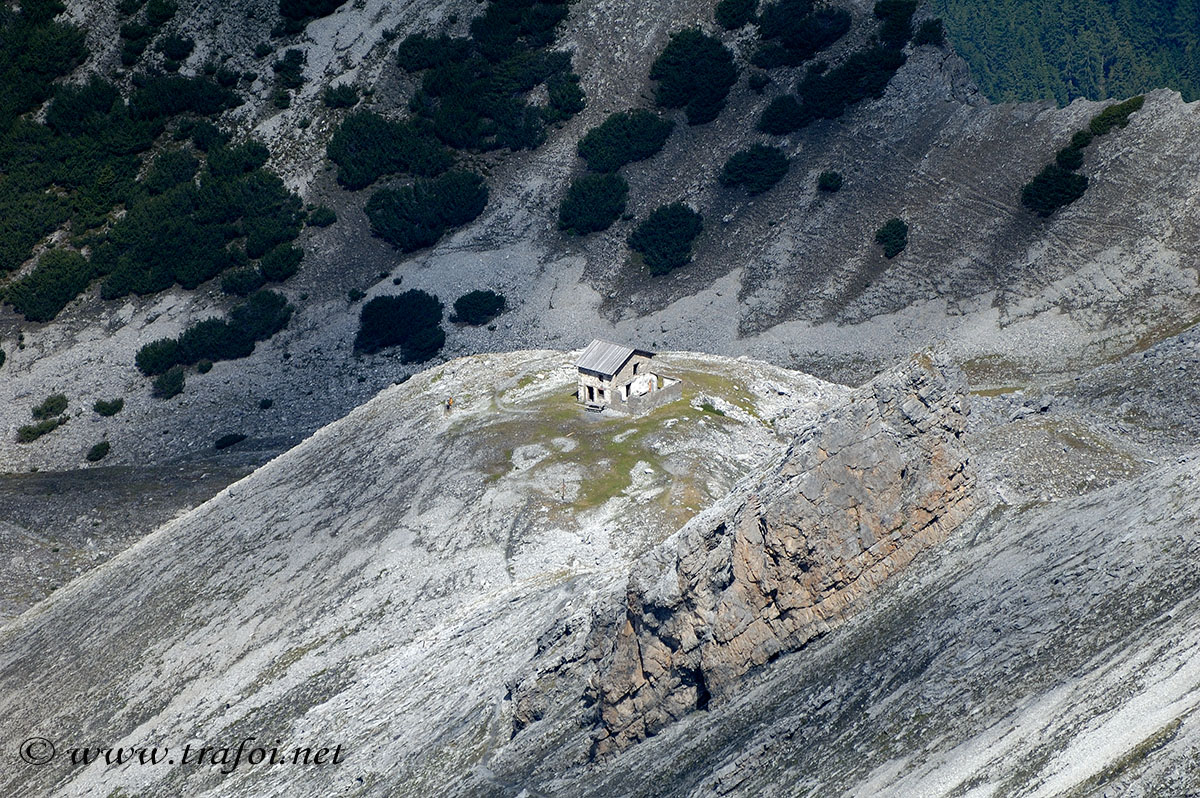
417, 217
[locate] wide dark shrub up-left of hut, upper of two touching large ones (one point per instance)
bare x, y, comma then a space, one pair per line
368, 147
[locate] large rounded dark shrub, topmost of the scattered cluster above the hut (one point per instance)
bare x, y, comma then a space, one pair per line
695, 73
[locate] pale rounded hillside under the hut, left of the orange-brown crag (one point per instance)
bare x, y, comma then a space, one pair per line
399, 559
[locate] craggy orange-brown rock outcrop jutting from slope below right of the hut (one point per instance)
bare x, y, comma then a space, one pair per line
781, 562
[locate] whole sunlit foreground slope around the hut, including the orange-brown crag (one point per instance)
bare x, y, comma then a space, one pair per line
443, 596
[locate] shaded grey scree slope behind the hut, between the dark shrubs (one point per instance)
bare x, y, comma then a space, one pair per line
791, 277
